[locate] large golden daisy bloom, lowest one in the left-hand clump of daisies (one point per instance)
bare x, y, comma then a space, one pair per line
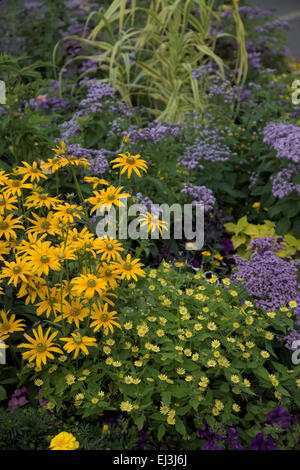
40, 347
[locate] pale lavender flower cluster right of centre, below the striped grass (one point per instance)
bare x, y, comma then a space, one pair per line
209, 147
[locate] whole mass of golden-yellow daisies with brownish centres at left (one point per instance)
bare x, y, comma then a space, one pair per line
55, 262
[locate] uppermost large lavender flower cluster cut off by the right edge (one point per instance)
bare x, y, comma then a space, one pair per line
285, 139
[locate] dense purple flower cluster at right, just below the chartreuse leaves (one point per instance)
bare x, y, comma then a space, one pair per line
271, 280
